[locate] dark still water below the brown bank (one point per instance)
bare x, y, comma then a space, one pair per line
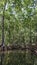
18, 58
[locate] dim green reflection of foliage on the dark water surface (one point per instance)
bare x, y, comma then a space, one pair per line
18, 58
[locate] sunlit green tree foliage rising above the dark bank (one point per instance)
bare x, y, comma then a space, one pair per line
20, 18
